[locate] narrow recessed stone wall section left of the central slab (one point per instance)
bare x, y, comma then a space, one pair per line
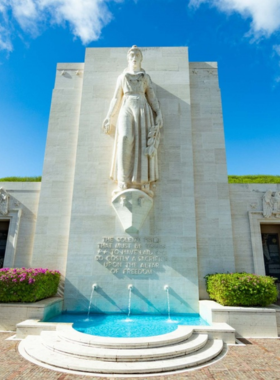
53, 223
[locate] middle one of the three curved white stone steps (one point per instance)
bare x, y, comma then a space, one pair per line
194, 343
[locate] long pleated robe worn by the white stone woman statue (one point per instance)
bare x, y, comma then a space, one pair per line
136, 99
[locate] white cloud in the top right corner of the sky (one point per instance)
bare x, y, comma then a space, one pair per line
265, 14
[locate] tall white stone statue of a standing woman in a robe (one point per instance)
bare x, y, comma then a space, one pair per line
135, 160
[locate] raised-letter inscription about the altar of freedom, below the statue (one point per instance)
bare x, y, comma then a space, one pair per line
131, 256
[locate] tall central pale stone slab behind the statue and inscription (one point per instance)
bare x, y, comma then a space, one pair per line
164, 252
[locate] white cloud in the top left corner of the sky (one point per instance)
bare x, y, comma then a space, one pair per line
86, 18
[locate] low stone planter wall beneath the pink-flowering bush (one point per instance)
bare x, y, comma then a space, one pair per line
13, 313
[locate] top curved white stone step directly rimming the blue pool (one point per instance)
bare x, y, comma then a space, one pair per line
67, 333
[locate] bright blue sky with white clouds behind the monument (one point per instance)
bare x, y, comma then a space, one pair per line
243, 36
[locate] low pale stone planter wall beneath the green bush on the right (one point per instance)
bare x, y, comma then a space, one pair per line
249, 322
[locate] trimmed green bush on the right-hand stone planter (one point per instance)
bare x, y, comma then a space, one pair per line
241, 289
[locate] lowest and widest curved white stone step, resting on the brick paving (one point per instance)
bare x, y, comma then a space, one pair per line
34, 350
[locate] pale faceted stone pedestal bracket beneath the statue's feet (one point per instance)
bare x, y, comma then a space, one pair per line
132, 207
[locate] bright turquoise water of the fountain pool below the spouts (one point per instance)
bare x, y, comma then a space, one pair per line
122, 326
